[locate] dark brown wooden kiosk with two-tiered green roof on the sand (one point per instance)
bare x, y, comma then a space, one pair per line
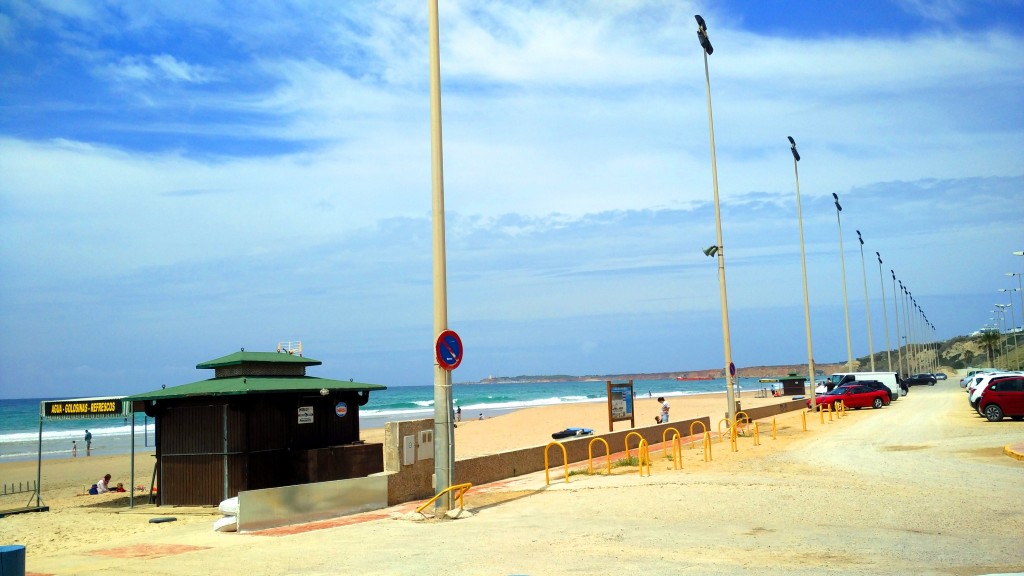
260, 423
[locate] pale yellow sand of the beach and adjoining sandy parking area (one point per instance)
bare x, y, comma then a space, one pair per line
878, 492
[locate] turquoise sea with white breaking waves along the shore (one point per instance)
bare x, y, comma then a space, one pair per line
20, 422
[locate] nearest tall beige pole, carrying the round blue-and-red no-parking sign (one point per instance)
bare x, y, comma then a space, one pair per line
444, 429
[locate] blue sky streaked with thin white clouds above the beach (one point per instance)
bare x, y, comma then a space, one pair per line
180, 181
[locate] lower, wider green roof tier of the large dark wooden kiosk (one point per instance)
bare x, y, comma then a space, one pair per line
254, 385
